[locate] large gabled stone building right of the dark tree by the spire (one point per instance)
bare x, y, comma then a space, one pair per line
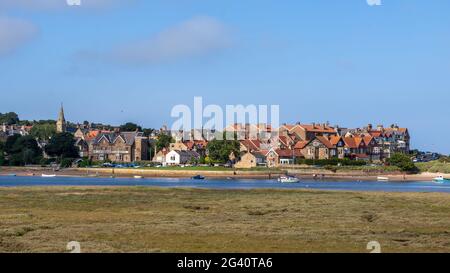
119, 147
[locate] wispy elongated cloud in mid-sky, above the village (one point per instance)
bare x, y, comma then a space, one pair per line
198, 36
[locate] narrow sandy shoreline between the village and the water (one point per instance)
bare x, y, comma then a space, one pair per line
213, 174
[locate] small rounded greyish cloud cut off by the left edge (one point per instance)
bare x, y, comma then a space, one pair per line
14, 33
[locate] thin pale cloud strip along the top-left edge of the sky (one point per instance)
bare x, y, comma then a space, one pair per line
58, 4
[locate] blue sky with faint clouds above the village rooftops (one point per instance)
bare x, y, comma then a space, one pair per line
342, 61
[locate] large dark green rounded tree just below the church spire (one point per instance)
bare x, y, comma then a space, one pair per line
62, 145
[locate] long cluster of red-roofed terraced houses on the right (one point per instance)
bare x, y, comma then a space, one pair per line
322, 141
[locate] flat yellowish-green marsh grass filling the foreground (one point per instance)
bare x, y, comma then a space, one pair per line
193, 220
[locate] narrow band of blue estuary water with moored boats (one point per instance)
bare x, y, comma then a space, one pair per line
426, 186
